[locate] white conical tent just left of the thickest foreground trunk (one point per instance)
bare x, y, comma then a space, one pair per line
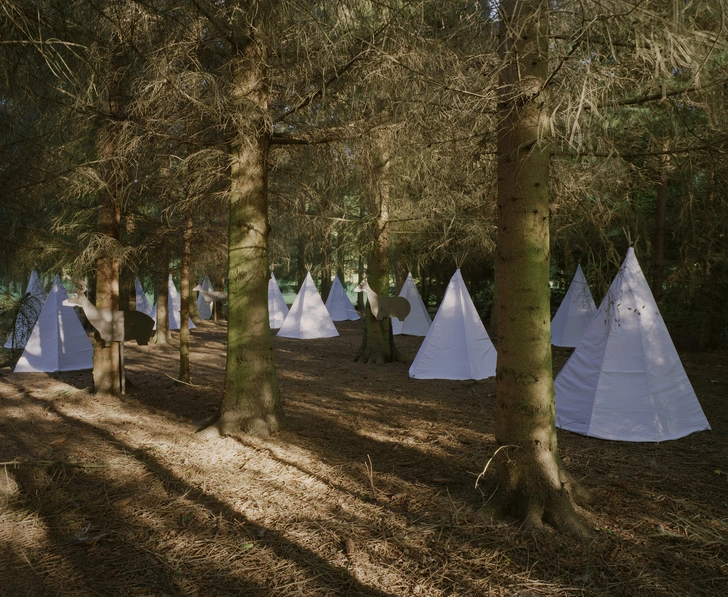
457, 345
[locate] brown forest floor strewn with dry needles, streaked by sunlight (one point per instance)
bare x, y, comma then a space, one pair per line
370, 491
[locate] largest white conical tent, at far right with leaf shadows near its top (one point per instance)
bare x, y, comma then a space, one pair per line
625, 380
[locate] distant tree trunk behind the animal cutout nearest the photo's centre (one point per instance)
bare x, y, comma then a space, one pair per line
378, 341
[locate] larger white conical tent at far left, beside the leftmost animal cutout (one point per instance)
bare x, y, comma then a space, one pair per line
58, 341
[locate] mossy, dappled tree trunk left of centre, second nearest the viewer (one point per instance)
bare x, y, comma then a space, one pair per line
251, 402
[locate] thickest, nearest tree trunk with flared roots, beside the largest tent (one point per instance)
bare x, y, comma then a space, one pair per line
532, 483
